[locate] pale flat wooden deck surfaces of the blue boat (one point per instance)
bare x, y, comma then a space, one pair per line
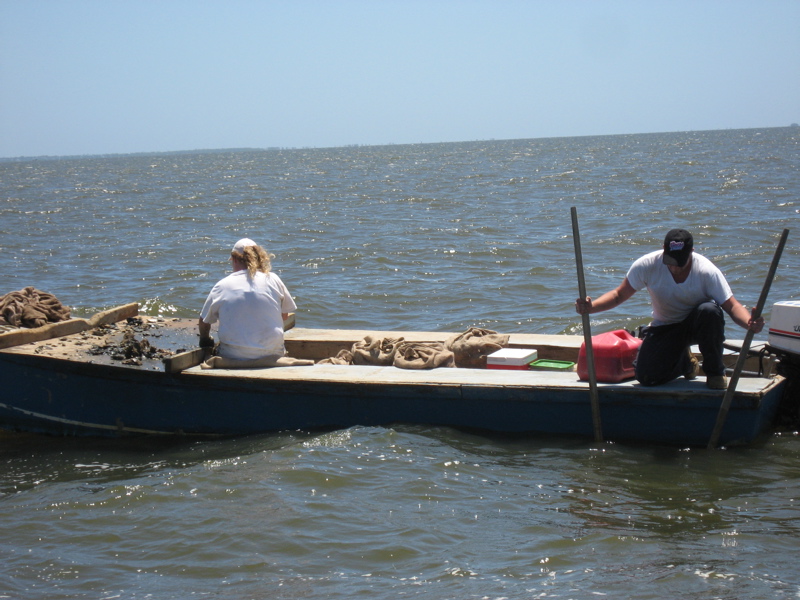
176, 335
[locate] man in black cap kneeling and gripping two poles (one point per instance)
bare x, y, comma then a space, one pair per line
689, 294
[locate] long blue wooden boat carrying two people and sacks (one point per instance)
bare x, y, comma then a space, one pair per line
63, 386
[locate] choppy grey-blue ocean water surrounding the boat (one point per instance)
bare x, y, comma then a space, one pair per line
430, 237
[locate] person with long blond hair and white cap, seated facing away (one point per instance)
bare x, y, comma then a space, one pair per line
250, 305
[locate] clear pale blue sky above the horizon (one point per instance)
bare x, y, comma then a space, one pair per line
122, 76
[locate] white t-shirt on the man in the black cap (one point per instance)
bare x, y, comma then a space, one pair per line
672, 302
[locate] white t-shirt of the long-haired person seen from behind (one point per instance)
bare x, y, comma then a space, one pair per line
249, 314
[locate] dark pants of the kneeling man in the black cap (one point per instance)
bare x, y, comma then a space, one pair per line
663, 356
